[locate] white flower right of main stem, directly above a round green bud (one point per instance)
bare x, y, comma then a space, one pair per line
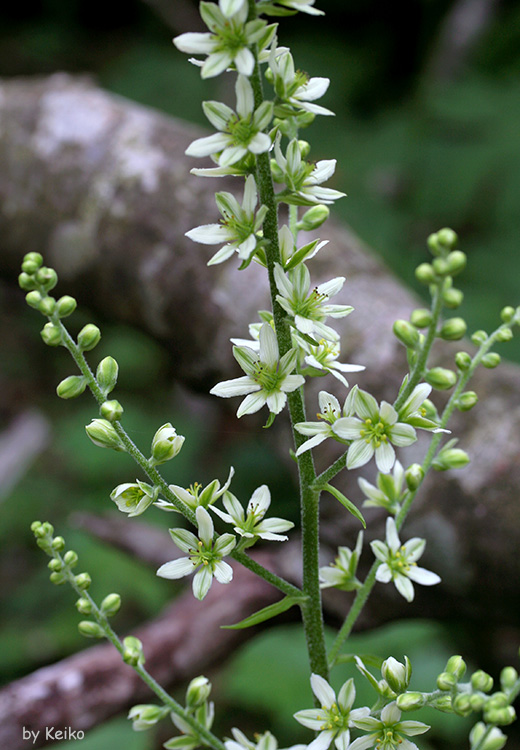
303, 180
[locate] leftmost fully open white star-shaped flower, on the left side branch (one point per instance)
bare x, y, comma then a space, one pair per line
205, 557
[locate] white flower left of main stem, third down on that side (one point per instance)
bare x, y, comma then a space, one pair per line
238, 227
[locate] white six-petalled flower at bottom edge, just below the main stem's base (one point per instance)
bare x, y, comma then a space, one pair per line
335, 716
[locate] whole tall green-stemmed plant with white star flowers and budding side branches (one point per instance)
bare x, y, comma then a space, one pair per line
258, 142
